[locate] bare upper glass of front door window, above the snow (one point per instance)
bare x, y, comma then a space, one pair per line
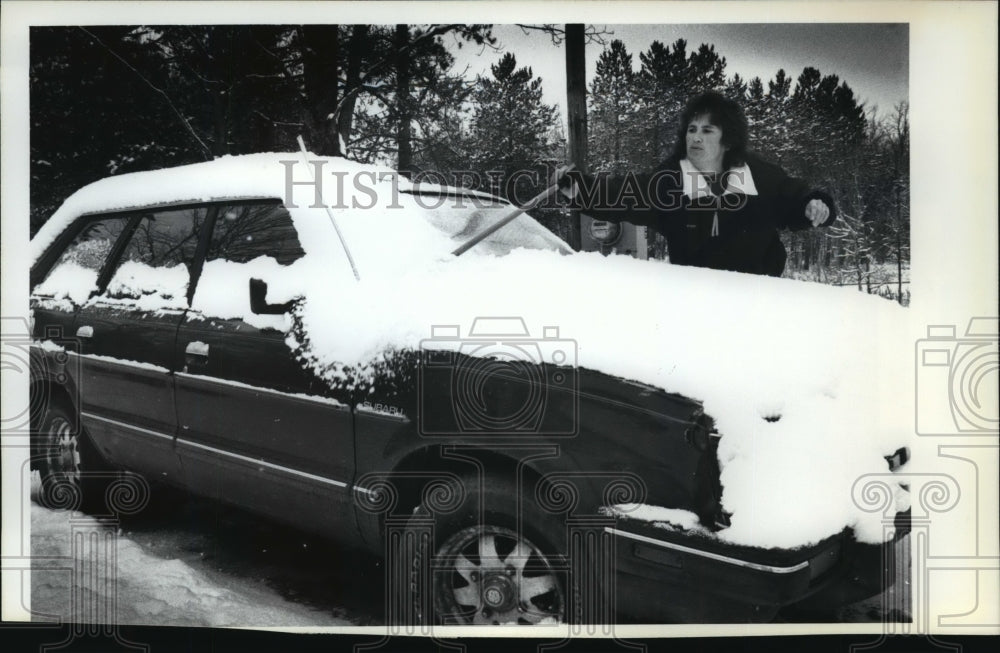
249, 230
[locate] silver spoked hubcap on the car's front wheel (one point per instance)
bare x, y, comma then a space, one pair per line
491, 576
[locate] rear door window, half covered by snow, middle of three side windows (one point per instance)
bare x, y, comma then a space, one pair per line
154, 270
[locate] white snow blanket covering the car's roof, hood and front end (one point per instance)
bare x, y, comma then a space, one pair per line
817, 358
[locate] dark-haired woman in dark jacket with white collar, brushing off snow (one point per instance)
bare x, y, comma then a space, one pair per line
717, 205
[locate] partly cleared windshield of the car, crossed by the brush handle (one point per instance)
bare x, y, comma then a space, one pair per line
462, 217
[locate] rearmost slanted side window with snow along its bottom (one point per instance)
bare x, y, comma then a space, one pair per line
75, 274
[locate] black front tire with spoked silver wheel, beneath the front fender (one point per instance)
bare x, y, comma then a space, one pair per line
474, 566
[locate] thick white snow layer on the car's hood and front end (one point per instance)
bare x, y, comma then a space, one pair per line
749, 347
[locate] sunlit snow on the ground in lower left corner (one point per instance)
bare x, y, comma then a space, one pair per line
141, 588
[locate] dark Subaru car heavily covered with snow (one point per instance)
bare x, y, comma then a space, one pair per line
526, 433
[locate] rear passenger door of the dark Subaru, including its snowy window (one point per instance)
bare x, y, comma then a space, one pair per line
126, 333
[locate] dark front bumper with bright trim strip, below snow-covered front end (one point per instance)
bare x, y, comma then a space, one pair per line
663, 577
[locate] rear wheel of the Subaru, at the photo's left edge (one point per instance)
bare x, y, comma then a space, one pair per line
73, 475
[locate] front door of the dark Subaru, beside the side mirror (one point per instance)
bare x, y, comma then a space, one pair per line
256, 428
